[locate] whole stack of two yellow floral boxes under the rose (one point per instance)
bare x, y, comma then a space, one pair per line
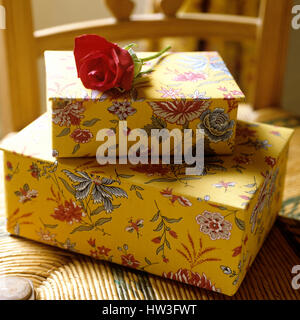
204, 230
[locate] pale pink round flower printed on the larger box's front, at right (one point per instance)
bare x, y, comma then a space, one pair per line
214, 225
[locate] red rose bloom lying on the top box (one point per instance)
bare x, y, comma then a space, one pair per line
102, 65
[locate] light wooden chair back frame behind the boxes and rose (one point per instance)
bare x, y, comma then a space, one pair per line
20, 46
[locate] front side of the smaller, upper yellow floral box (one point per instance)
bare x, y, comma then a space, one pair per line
75, 123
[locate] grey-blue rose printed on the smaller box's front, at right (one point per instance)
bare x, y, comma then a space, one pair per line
216, 125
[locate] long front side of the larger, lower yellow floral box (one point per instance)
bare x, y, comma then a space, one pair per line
117, 219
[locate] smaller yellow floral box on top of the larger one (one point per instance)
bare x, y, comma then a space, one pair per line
185, 90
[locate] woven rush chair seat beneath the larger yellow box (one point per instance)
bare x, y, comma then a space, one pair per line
59, 274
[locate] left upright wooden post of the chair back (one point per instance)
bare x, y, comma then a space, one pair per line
20, 99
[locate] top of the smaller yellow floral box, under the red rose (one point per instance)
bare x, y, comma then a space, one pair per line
181, 75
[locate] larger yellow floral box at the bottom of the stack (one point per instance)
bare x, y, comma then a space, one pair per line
202, 230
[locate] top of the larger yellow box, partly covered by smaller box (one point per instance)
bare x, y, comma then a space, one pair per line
230, 181
